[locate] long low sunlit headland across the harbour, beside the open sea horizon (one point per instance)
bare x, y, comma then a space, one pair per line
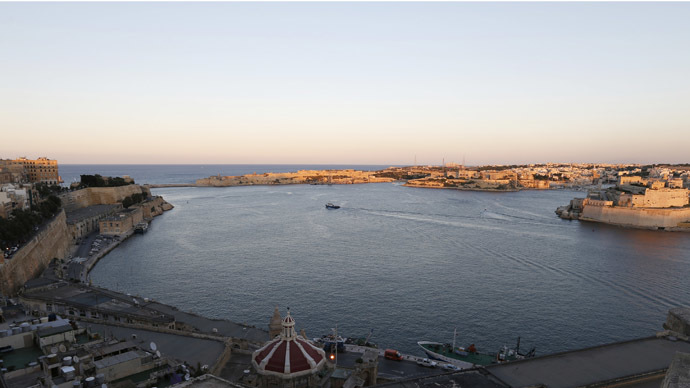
315, 177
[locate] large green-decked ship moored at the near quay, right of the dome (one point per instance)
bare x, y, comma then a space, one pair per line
463, 356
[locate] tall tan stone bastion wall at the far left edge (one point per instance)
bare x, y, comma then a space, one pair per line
53, 241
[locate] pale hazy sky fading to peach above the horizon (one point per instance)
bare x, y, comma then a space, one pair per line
350, 83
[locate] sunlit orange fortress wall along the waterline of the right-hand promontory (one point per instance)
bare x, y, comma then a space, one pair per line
637, 217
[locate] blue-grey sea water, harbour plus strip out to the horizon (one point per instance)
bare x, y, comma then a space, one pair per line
412, 264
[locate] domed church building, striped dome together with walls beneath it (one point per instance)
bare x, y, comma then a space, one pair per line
289, 360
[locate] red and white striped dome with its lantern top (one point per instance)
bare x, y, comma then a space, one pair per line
288, 355
